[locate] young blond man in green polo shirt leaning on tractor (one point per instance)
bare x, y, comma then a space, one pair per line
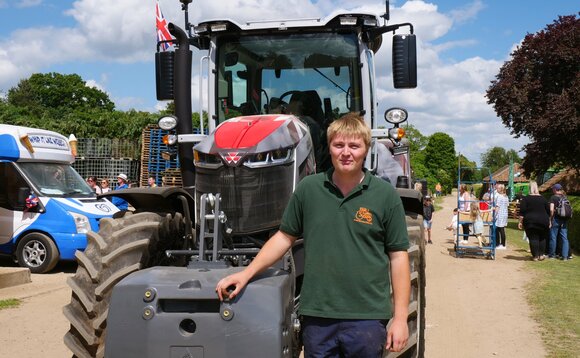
353, 225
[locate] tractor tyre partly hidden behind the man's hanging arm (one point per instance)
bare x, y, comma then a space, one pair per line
416, 321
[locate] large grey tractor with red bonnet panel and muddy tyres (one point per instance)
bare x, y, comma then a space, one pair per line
145, 284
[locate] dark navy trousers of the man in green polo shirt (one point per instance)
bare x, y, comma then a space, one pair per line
343, 338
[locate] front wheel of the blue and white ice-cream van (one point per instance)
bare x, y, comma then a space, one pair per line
37, 252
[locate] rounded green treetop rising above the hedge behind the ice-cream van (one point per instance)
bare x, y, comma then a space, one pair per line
58, 91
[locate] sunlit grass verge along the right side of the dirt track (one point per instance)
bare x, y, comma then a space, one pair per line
553, 297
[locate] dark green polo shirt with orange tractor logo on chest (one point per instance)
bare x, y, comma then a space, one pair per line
346, 241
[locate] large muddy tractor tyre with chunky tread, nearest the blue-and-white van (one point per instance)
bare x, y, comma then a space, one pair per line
122, 246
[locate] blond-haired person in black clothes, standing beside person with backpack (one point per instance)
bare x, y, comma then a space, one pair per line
535, 220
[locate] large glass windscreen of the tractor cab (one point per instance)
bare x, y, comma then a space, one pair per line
315, 75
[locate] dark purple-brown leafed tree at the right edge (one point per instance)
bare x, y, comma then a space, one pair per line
537, 94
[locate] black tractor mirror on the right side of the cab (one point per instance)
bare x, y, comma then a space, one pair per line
404, 61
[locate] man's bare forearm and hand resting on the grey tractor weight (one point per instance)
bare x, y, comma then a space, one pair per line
271, 252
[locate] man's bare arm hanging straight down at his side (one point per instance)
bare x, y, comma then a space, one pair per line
398, 333
